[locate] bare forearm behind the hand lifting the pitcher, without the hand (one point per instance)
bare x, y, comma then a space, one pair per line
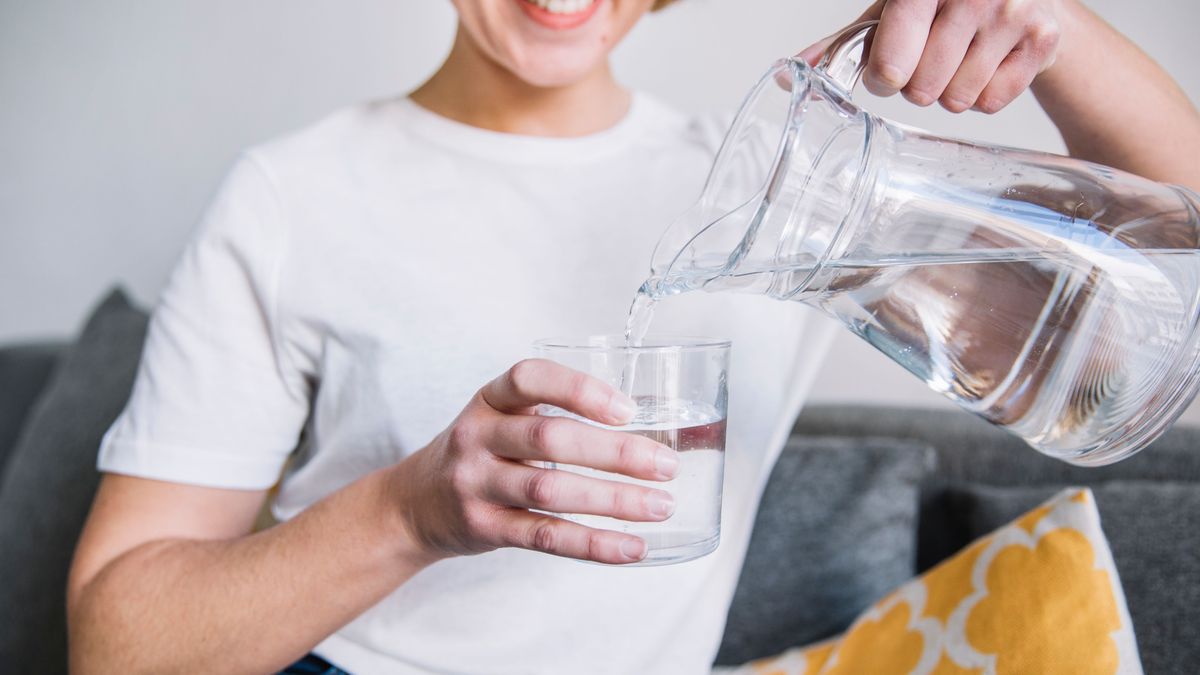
1115, 106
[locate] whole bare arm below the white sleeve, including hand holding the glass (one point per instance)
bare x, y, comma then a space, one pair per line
169, 580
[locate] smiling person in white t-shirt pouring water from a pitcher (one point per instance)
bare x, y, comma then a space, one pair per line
355, 290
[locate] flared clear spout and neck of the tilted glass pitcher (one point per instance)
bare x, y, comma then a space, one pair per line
781, 192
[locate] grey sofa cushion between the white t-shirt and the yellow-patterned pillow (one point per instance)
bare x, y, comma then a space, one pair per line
835, 530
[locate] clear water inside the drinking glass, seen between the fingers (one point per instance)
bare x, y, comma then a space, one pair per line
697, 432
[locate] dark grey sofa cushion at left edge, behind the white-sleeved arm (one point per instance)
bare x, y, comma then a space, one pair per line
49, 487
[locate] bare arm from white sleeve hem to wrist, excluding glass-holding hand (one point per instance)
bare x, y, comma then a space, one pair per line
167, 577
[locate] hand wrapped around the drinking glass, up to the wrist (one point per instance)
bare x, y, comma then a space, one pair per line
471, 489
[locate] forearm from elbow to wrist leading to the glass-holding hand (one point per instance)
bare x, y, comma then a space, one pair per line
251, 605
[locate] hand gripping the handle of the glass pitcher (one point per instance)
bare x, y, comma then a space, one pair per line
965, 55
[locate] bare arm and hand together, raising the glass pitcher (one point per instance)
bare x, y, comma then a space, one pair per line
1111, 101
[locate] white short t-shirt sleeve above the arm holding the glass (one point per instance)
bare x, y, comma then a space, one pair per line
215, 402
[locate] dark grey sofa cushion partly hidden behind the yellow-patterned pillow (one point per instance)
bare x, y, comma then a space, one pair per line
1153, 530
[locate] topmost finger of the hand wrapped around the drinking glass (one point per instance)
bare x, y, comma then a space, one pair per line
539, 381
